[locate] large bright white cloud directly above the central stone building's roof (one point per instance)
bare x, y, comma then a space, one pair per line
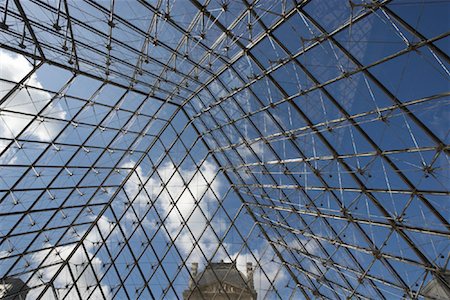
199, 190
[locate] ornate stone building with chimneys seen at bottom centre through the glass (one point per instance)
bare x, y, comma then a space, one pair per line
220, 281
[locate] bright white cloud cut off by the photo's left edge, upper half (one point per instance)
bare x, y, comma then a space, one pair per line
25, 100
